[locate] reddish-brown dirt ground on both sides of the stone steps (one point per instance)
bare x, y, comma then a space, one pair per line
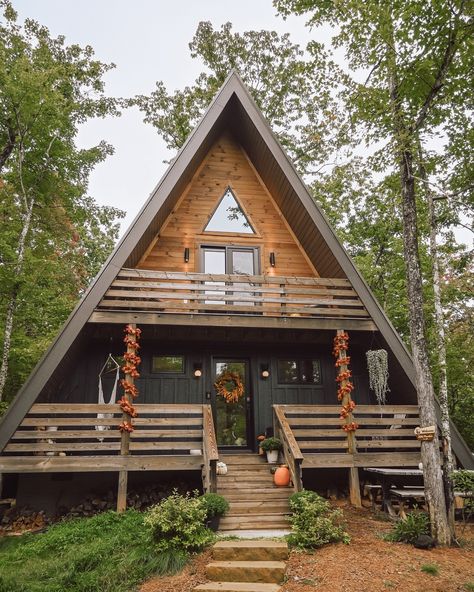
368, 563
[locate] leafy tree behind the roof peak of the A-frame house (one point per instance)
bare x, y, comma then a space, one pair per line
296, 93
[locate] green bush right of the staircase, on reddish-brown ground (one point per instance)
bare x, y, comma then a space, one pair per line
314, 523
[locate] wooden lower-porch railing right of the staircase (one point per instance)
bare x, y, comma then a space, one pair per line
385, 436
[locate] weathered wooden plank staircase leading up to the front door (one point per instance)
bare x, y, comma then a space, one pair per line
255, 502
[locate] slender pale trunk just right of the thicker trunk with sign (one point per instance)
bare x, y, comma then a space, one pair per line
448, 460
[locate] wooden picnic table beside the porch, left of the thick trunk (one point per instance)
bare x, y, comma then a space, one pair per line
393, 482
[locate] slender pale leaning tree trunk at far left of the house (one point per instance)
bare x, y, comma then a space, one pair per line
7, 333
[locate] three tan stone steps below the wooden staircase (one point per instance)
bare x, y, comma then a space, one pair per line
246, 566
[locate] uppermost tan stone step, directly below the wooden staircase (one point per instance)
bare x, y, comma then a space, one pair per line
253, 550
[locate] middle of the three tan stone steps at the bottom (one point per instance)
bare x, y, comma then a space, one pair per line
246, 571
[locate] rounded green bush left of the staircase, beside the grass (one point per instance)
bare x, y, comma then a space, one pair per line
177, 524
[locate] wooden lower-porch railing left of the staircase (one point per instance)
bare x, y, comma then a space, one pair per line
70, 437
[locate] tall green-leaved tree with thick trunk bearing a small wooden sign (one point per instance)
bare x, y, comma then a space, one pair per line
418, 55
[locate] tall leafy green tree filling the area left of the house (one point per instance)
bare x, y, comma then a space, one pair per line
53, 236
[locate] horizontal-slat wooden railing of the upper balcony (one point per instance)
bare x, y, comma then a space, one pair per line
198, 293
